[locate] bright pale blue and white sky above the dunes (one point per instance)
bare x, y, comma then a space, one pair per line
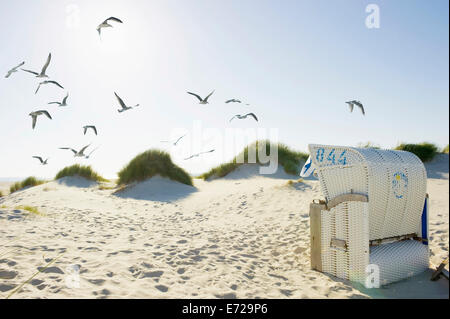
296, 62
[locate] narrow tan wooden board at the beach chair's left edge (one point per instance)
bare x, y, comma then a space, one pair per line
315, 234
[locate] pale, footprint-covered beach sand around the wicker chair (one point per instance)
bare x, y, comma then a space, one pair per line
243, 236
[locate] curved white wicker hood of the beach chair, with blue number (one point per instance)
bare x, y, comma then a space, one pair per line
394, 181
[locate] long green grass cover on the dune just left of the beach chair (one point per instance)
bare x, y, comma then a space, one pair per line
289, 159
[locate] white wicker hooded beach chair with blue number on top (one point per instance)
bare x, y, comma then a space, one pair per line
374, 219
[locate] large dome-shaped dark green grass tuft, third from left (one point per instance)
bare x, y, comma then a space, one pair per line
150, 163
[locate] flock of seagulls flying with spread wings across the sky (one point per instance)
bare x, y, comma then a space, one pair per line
123, 107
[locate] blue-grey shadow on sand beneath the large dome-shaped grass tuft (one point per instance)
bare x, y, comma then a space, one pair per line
157, 189
